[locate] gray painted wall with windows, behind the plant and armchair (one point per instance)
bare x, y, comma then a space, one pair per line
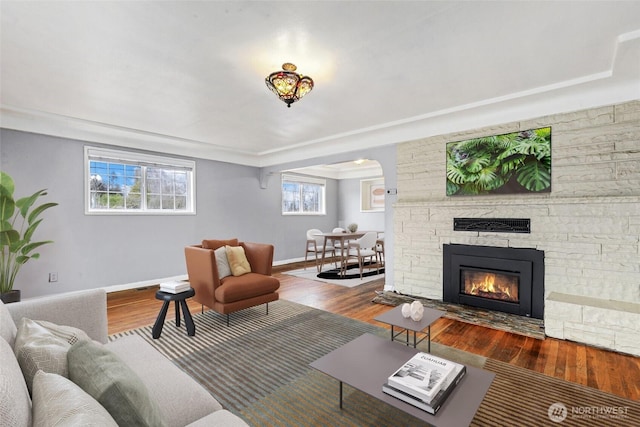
92, 251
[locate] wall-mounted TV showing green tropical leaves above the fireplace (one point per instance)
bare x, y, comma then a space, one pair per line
518, 162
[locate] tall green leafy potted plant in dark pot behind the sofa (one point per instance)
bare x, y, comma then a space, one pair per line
18, 221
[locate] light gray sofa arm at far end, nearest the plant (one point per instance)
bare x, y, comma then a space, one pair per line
86, 310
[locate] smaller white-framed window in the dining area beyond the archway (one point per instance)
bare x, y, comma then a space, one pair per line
303, 195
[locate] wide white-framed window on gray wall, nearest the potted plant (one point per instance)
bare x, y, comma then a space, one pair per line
124, 182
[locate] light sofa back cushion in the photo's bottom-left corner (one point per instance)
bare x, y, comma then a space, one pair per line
15, 404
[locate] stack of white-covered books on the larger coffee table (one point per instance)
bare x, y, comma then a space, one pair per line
422, 376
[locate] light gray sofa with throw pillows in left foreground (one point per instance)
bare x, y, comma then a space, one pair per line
179, 399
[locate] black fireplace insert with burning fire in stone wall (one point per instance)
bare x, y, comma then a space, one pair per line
503, 279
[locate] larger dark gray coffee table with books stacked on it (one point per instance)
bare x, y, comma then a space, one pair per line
366, 362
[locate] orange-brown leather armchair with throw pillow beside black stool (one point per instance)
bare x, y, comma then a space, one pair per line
231, 293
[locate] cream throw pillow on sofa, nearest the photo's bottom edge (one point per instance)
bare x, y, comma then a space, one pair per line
59, 402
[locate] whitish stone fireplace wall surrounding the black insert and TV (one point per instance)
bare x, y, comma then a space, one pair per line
588, 225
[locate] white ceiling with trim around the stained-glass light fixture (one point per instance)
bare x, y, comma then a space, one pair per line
187, 77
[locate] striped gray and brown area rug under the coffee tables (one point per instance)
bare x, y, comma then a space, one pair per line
258, 368
